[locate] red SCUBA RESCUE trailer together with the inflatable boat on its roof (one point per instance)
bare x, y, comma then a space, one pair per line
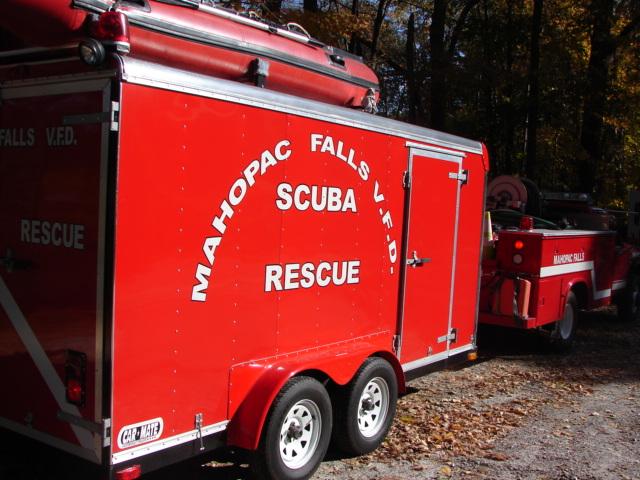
192, 258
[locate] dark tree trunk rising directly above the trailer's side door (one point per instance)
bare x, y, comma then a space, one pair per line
438, 64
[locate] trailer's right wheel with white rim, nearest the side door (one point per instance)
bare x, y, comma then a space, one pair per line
365, 409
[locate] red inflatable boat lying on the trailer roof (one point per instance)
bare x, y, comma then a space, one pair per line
200, 37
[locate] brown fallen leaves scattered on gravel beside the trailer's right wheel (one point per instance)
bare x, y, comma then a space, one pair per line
465, 412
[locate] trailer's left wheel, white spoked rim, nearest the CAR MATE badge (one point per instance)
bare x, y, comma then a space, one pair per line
297, 431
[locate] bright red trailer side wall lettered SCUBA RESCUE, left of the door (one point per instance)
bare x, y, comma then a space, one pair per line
347, 187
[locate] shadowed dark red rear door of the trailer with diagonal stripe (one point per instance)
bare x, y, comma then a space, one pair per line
50, 217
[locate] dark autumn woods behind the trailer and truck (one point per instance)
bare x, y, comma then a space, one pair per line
551, 86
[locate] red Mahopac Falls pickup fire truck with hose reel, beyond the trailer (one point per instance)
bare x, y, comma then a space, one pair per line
540, 276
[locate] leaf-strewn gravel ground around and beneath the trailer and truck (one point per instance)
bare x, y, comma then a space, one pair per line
520, 412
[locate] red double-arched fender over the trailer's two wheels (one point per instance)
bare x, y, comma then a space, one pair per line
338, 364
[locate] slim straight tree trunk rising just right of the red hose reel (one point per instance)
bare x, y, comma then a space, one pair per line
534, 92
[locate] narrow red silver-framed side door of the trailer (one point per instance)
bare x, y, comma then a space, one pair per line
431, 232
